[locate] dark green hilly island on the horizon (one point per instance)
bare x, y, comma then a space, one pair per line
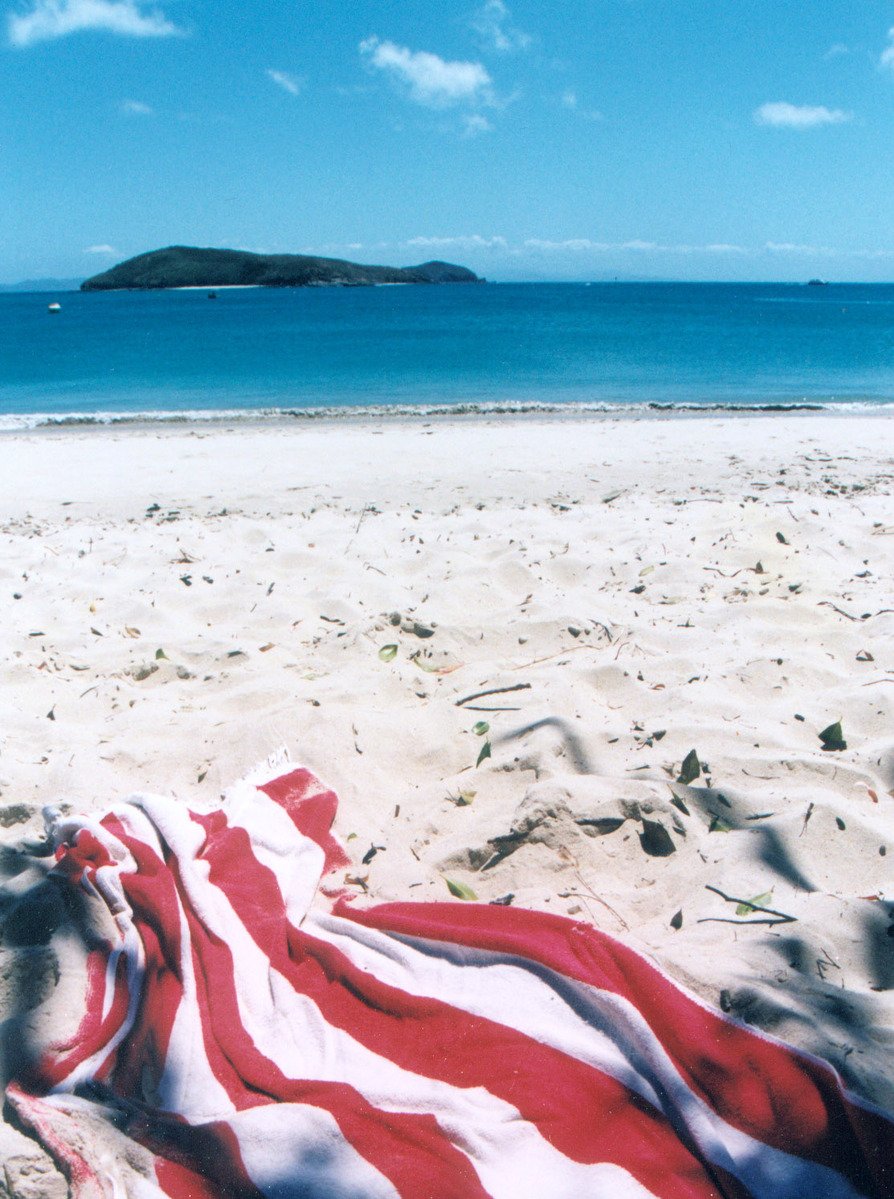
188, 267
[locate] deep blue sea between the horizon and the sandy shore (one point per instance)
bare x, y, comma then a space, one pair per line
492, 347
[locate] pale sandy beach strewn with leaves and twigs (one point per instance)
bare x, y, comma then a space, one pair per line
607, 597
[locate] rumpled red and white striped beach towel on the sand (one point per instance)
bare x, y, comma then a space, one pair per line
249, 1032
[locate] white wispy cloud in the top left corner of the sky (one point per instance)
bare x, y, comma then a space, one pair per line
50, 20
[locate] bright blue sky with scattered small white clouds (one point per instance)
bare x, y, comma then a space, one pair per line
577, 140
